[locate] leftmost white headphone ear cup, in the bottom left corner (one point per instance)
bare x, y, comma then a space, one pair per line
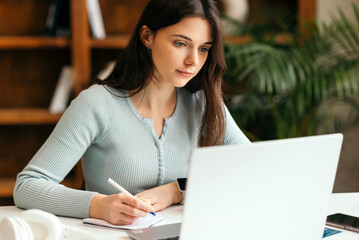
15, 228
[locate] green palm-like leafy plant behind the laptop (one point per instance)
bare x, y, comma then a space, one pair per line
280, 90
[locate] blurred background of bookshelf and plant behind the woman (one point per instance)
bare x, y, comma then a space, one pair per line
292, 71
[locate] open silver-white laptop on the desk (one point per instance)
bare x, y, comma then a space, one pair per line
270, 190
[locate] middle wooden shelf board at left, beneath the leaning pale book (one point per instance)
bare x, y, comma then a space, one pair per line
17, 116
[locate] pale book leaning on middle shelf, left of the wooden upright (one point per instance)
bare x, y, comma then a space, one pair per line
62, 94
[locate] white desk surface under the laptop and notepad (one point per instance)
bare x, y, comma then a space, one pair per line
347, 203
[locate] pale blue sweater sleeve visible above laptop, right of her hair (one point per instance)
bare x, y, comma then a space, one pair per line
233, 134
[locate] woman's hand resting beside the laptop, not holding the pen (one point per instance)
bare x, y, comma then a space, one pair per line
162, 196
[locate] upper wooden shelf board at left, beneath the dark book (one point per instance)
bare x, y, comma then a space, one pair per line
16, 42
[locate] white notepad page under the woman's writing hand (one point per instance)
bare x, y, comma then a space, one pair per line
145, 222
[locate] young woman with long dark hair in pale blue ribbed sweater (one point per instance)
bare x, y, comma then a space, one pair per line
138, 125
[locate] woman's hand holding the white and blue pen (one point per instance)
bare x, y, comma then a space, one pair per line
119, 209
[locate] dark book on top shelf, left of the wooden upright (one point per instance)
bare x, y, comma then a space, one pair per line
58, 18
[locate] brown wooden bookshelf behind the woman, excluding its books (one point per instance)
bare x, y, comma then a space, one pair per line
30, 64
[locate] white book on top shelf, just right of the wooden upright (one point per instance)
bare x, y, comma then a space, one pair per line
95, 19
